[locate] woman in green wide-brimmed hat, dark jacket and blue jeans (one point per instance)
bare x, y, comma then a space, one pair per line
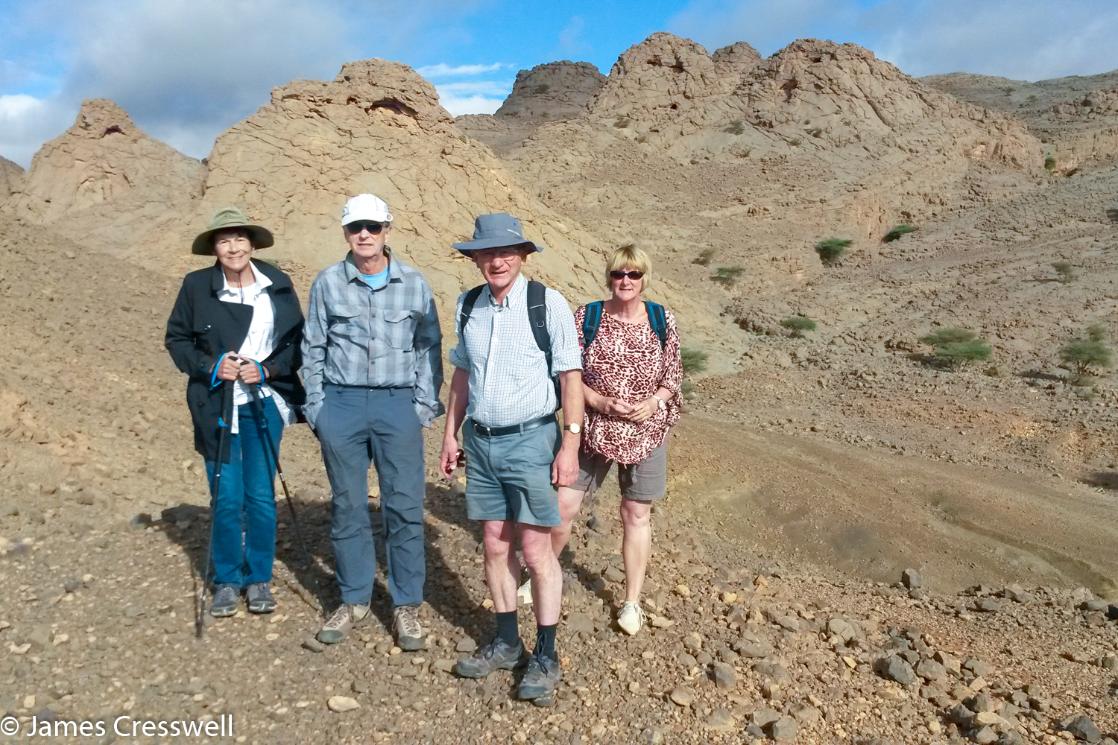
235, 331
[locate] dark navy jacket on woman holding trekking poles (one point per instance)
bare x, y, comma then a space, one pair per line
202, 328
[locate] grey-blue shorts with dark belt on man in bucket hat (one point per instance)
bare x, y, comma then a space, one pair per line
509, 477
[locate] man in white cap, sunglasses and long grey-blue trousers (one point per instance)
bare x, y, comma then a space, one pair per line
373, 371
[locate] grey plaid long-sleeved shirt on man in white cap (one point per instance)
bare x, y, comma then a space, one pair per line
386, 338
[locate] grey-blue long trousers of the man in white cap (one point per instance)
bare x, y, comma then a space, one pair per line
380, 426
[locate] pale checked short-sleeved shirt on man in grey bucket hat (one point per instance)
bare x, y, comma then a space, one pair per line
509, 379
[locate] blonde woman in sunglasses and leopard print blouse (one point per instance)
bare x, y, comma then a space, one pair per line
632, 373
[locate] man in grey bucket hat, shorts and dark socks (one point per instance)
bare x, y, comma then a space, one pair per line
515, 336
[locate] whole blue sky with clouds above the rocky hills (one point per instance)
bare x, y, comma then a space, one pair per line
187, 70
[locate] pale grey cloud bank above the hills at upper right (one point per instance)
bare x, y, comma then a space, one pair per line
1029, 40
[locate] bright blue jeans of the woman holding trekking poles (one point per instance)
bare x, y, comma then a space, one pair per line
244, 529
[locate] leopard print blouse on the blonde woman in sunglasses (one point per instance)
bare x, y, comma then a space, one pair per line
626, 362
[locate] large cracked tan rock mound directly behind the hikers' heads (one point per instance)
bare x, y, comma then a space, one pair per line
378, 128
